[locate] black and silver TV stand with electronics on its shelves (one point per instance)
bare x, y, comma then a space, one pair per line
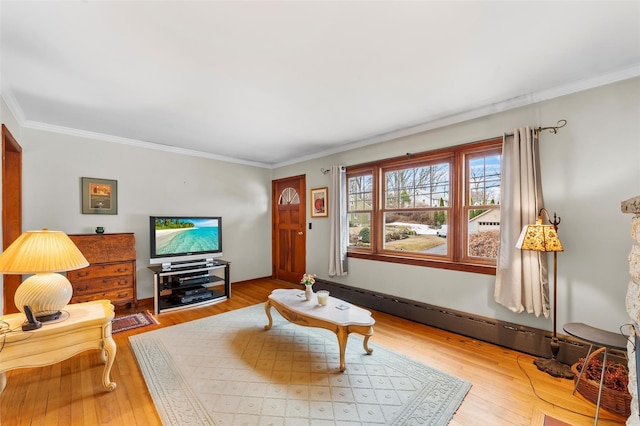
188, 284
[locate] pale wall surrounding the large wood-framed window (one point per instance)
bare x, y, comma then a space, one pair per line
587, 169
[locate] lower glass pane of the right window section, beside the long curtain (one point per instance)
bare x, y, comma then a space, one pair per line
484, 232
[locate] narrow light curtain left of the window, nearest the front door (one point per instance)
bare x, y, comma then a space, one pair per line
338, 226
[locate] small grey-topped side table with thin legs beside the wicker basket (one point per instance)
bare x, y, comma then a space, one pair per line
595, 337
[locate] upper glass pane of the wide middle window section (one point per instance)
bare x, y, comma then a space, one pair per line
417, 187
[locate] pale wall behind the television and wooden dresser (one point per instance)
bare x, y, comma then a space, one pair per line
150, 182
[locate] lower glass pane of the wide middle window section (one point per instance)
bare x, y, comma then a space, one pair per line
415, 231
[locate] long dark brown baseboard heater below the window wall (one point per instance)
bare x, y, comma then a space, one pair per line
520, 338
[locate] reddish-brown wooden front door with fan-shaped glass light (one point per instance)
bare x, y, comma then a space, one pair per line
289, 236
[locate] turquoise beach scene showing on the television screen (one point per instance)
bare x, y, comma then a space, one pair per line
186, 236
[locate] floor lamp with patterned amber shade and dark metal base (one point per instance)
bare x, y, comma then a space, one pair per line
544, 238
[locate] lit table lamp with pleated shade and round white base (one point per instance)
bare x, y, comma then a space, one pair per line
42, 253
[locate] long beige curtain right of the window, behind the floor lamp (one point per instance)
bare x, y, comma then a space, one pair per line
522, 282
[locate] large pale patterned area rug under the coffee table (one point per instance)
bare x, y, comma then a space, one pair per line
227, 370
